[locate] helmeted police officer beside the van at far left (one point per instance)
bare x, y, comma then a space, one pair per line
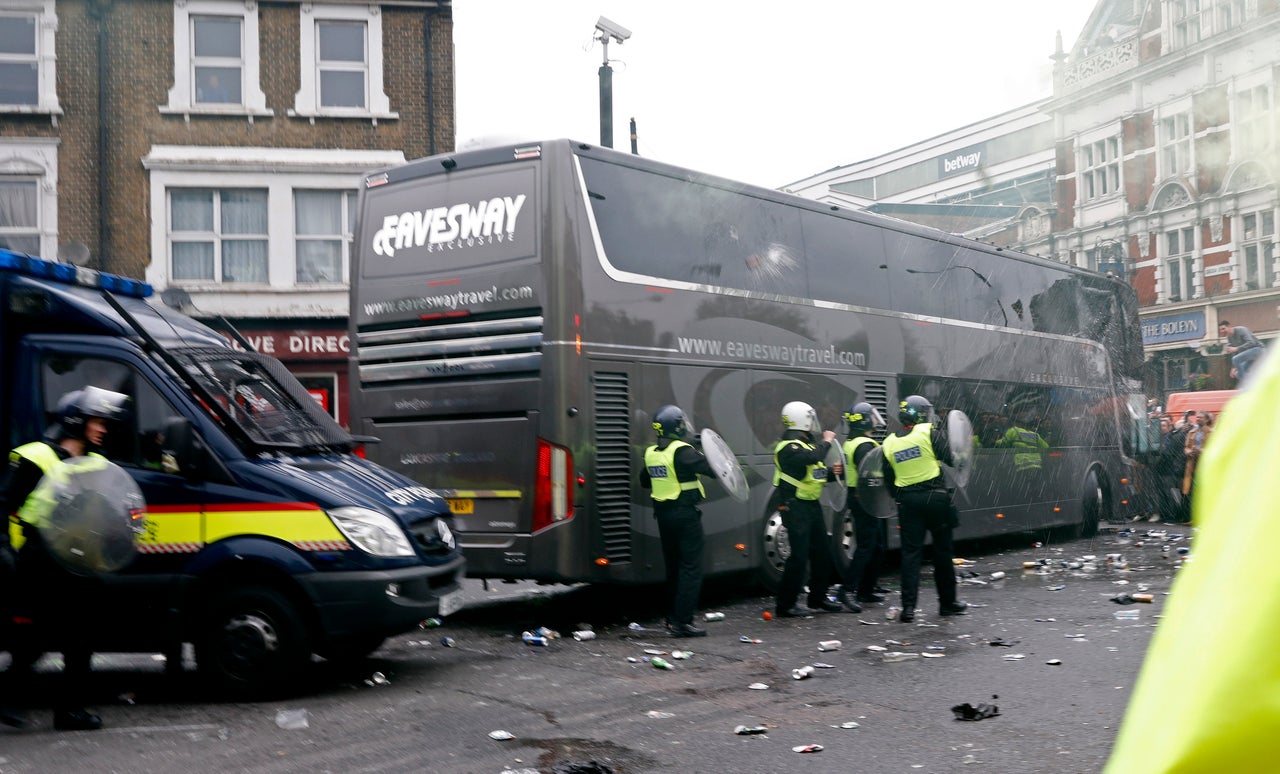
60, 603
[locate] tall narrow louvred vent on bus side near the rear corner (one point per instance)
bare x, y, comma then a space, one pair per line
614, 464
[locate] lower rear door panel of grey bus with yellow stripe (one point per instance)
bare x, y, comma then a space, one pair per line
483, 466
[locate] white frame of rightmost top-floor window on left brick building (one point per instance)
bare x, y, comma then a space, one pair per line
307, 102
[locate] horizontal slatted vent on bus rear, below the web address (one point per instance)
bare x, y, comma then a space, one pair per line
433, 350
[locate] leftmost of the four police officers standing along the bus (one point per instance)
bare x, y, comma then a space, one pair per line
671, 469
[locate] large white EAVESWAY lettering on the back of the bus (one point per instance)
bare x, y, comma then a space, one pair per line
440, 228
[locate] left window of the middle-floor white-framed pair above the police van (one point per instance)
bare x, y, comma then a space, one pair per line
218, 235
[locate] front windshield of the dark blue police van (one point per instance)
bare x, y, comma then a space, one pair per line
266, 404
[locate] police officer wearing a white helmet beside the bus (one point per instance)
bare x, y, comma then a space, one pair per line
798, 480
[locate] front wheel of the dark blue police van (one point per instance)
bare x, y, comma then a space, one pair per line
253, 644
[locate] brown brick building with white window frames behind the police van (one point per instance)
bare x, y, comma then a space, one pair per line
213, 148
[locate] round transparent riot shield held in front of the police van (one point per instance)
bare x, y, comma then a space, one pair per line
90, 514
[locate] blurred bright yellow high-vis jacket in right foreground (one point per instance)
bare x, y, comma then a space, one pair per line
1209, 694
